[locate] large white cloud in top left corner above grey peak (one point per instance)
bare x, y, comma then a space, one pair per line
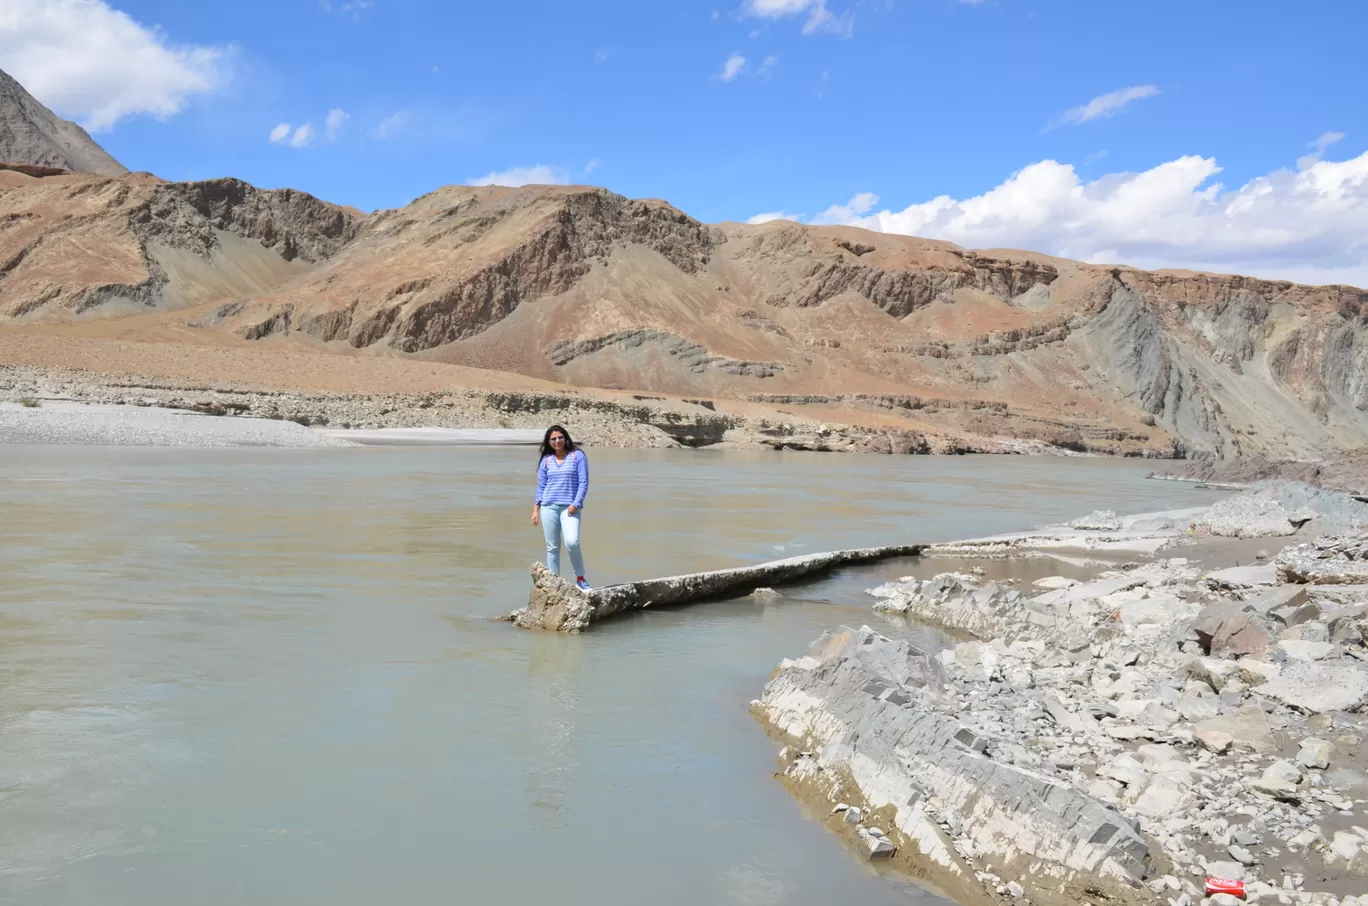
91, 62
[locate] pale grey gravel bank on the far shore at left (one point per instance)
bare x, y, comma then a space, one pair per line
147, 426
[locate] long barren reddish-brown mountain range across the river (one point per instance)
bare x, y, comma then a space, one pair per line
582, 287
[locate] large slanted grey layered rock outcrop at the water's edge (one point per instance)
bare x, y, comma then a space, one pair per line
871, 710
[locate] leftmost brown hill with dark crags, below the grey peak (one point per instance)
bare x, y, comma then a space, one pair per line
79, 247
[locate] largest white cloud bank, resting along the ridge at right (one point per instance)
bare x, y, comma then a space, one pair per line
1308, 225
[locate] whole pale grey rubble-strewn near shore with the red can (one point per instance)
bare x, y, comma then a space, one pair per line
1194, 711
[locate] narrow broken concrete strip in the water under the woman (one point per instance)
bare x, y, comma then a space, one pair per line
557, 606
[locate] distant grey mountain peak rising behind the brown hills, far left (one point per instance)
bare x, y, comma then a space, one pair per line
34, 135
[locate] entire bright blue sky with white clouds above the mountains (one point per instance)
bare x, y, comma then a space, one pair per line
835, 103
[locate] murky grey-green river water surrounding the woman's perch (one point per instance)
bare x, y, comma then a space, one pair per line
267, 677
